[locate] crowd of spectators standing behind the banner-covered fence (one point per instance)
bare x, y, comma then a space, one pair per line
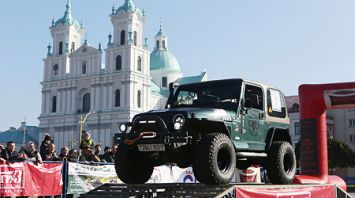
88, 152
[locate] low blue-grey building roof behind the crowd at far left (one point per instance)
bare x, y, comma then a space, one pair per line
16, 135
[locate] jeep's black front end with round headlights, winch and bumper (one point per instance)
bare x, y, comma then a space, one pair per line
152, 133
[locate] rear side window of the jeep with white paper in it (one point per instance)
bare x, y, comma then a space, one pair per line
276, 105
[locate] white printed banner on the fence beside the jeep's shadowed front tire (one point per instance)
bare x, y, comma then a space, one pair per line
82, 178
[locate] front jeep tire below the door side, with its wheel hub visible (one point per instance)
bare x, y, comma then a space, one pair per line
215, 159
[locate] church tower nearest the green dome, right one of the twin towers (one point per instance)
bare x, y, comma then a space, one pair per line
127, 58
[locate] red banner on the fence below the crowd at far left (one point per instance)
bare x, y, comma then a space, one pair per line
28, 179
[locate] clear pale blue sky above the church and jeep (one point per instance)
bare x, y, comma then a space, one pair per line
278, 42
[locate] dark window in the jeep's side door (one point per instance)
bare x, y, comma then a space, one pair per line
253, 97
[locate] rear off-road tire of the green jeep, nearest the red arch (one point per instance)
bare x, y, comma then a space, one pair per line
281, 163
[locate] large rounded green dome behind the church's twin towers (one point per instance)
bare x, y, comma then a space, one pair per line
164, 60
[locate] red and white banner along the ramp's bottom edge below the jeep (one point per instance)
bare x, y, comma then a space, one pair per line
291, 192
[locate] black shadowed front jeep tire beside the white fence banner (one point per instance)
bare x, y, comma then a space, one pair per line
132, 167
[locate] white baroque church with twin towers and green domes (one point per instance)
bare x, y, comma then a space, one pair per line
77, 83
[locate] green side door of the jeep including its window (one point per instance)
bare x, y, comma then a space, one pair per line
253, 128
